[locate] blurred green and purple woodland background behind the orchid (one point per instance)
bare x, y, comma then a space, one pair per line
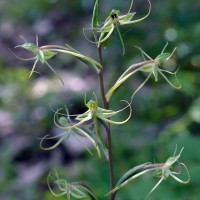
162, 116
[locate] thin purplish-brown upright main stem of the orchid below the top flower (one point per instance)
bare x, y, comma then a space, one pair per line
108, 131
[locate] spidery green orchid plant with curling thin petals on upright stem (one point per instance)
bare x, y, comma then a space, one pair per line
95, 123
